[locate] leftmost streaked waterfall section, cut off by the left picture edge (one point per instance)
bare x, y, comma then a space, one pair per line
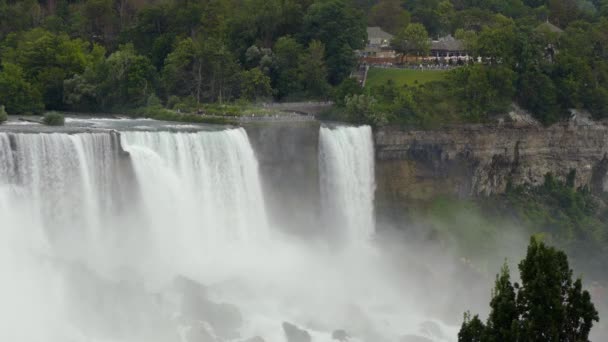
68, 182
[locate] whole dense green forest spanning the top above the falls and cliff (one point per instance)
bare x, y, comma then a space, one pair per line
118, 55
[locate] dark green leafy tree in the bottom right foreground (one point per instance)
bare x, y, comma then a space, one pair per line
549, 305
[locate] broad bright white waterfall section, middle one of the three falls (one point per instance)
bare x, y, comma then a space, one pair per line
204, 186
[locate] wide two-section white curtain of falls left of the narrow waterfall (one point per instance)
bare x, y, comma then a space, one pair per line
194, 191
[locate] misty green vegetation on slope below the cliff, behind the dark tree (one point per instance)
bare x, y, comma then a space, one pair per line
571, 218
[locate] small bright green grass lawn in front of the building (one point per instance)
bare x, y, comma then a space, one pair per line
379, 76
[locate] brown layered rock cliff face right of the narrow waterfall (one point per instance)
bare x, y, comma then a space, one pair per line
416, 165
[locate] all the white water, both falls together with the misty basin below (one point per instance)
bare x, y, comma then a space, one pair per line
164, 235
